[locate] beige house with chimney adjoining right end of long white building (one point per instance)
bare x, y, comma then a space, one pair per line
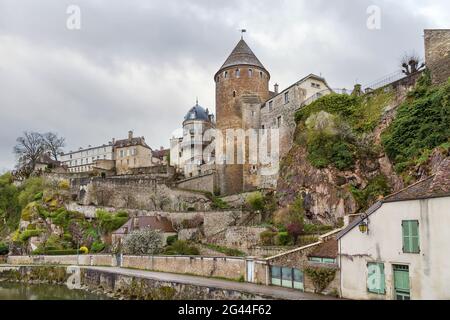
132, 153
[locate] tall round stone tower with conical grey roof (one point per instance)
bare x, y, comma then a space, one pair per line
241, 78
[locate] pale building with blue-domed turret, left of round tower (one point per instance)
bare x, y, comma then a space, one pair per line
187, 152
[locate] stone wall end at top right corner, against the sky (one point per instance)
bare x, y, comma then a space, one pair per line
437, 54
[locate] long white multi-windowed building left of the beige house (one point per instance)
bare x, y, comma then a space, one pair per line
84, 160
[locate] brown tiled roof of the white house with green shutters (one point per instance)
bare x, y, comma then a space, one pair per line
437, 185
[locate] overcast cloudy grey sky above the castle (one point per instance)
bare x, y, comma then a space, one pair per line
141, 64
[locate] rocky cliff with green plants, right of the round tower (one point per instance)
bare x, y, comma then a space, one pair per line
338, 163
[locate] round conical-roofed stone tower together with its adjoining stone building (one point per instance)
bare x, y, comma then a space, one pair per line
244, 101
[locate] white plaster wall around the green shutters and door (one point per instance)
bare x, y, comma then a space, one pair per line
429, 270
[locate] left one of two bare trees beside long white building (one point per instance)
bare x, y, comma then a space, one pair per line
28, 149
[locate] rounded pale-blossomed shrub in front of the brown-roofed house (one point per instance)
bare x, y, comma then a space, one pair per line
142, 242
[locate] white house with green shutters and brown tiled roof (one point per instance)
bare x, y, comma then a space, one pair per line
400, 248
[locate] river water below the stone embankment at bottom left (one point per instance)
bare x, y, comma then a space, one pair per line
20, 291
